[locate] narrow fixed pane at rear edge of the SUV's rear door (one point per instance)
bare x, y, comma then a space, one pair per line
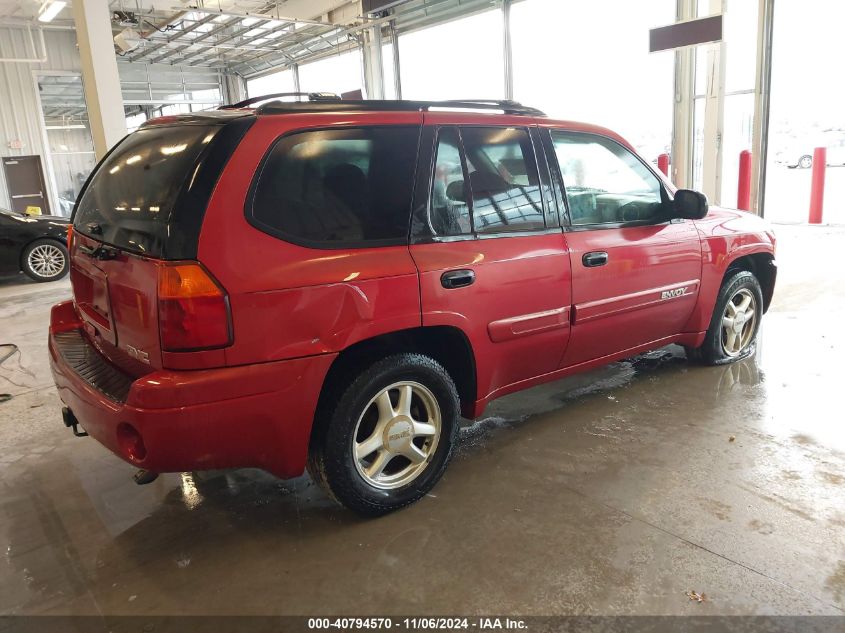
449, 211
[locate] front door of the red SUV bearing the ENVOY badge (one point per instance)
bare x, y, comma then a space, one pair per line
635, 273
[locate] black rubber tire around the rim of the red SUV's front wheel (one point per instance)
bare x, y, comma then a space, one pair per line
712, 351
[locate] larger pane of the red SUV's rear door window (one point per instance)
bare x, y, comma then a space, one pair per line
503, 179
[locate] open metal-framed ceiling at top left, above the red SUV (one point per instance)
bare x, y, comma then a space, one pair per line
252, 37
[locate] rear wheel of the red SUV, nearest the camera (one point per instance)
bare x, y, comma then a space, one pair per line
387, 439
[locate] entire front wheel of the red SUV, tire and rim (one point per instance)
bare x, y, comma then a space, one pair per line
732, 334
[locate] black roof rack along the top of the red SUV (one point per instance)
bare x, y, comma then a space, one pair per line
334, 103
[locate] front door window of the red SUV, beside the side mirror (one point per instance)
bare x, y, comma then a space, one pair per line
605, 183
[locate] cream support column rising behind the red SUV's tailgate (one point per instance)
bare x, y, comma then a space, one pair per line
99, 74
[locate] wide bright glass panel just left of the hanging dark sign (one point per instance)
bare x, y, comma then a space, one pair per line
589, 61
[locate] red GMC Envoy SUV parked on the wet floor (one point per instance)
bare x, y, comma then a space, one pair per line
335, 283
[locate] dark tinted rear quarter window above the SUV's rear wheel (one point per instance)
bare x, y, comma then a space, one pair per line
338, 186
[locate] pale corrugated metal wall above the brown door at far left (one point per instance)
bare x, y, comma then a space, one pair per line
20, 119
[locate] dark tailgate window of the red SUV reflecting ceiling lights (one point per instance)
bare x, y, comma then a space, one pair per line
131, 199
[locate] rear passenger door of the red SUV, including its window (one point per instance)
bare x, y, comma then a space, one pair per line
490, 263
